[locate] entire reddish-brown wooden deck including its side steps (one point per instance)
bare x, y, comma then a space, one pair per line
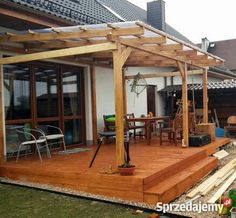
162, 173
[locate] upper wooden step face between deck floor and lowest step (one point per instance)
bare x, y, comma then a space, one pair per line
172, 169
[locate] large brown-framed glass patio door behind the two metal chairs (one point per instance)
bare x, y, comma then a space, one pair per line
42, 94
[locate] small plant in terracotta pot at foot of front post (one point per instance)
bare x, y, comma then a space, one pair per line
127, 168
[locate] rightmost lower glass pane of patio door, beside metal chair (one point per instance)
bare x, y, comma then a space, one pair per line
73, 132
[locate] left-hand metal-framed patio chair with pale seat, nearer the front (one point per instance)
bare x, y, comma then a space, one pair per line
27, 139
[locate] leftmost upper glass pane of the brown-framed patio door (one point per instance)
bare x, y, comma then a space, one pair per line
17, 92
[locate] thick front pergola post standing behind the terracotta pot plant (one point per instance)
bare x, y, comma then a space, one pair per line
119, 105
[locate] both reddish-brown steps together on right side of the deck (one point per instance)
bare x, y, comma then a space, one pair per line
168, 185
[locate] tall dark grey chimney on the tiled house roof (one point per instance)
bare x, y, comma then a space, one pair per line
156, 14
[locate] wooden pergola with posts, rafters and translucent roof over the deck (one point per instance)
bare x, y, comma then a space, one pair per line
115, 45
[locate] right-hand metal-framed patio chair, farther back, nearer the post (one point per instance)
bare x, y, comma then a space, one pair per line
59, 136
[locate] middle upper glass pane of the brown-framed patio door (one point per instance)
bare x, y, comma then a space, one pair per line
46, 92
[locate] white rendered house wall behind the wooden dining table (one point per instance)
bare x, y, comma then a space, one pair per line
136, 105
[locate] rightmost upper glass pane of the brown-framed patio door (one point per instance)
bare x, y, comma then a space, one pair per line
71, 93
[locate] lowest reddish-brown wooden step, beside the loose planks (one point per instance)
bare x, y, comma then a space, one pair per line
179, 183
